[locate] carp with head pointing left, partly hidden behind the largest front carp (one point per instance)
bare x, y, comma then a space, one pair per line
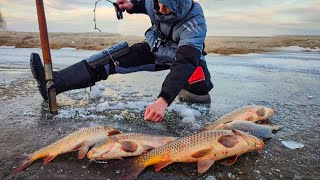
125, 145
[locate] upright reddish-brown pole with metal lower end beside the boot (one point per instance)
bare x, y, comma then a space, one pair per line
46, 57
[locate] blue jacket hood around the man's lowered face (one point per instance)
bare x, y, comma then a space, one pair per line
179, 8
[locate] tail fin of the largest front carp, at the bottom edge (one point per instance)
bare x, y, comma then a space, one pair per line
130, 169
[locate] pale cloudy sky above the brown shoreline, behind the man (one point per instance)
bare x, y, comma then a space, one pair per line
224, 17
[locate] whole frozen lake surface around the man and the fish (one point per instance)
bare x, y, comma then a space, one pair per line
286, 80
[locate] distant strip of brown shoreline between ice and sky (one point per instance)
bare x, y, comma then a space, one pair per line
224, 45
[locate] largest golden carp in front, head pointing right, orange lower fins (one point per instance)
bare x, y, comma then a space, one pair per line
204, 147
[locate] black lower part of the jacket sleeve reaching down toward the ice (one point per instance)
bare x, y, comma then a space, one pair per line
187, 59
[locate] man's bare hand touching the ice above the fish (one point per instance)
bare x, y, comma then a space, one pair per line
156, 111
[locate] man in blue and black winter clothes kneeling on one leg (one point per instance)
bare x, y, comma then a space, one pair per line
175, 41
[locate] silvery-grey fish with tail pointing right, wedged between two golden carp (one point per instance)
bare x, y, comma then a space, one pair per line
258, 130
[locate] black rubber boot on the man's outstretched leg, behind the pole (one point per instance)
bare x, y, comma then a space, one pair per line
76, 76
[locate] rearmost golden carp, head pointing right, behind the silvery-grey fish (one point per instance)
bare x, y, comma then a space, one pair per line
249, 113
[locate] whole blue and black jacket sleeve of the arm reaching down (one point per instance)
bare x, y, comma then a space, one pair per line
187, 58
